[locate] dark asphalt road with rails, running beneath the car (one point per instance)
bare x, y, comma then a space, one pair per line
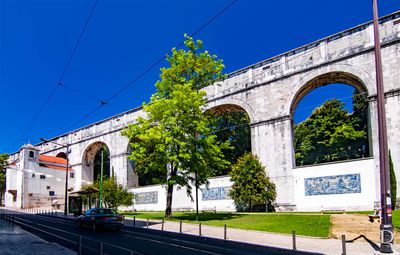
135, 241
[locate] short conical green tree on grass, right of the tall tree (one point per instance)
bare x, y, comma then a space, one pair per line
250, 182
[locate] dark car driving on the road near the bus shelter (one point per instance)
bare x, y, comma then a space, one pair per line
97, 218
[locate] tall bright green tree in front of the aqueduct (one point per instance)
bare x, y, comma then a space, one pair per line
175, 139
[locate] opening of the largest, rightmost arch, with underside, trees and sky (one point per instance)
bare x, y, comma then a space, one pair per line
355, 119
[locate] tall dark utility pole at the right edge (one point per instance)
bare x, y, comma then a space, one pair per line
386, 207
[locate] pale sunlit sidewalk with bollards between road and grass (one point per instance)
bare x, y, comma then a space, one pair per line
309, 244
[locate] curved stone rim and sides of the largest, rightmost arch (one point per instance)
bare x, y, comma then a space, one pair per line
318, 79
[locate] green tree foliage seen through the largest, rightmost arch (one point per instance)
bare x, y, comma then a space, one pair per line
332, 134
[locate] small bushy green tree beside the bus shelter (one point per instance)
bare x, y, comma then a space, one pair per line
114, 194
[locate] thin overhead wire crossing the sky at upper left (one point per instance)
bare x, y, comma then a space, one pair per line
62, 74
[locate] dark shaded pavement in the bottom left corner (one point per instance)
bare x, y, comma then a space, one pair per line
16, 241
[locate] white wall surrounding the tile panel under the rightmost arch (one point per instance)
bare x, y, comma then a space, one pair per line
350, 201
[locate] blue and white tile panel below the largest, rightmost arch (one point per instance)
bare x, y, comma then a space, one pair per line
335, 184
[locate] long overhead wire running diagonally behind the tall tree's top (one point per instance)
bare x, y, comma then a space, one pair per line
158, 61
